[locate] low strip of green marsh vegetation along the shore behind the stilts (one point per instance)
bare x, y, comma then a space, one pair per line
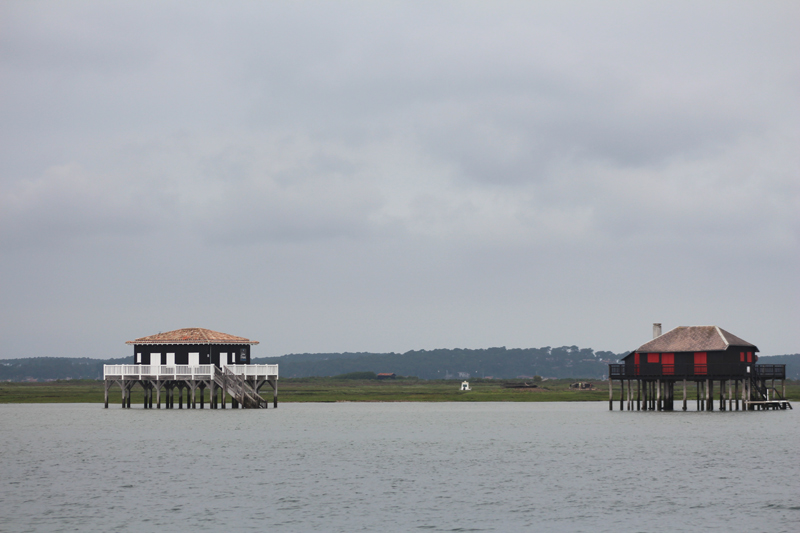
350, 390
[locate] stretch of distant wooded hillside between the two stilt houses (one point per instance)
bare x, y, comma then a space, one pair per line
564, 362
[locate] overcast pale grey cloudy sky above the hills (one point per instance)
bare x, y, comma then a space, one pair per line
393, 176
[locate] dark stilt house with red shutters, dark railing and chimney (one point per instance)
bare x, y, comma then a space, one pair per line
704, 356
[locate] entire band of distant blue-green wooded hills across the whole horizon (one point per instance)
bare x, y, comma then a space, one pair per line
498, 363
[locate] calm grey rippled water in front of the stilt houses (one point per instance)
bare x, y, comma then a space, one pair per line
397, 467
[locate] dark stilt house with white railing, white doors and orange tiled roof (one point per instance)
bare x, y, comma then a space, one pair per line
193, 360
